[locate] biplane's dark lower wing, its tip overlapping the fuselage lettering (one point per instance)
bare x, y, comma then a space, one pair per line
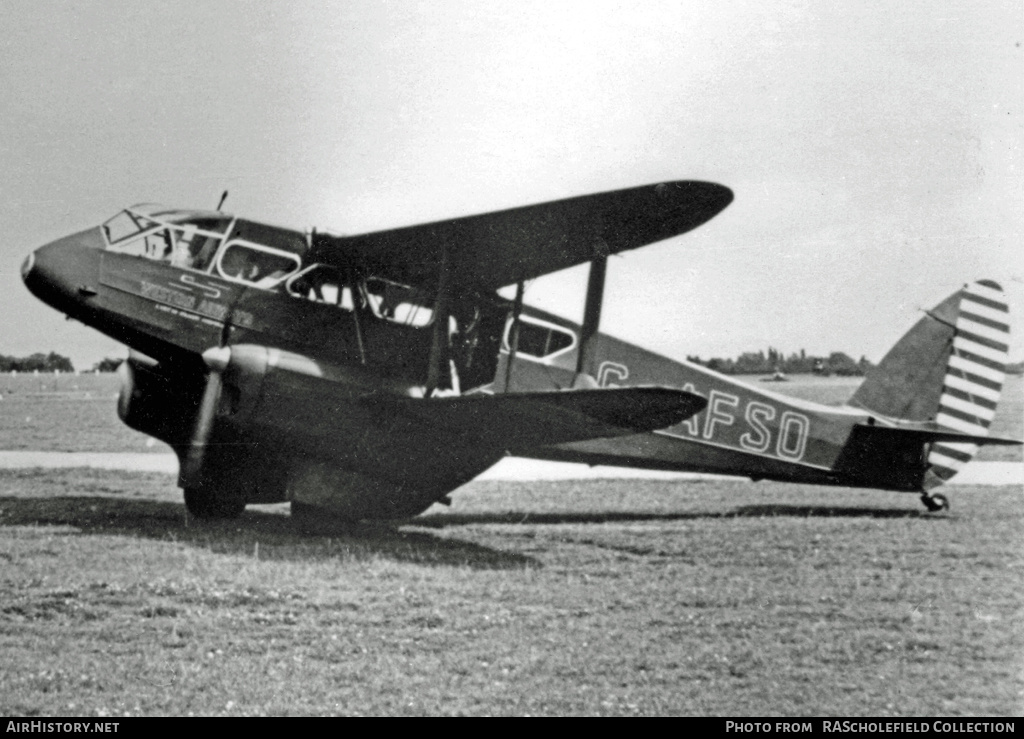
522, 421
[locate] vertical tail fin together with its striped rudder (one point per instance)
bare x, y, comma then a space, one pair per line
949, 370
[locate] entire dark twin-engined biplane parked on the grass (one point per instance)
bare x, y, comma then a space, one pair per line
369, 376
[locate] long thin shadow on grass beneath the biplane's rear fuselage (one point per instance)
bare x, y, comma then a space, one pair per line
443, 520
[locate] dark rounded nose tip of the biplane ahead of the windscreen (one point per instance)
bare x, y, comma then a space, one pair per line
62, 273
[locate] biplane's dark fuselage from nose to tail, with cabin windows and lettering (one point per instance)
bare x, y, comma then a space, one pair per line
174, 284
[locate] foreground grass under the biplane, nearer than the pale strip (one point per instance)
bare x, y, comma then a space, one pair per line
601, 598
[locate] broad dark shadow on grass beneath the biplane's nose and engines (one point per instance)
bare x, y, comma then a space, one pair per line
276, 535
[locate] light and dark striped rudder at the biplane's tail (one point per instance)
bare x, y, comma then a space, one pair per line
975, 373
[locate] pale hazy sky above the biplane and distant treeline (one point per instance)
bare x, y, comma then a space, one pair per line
875, 149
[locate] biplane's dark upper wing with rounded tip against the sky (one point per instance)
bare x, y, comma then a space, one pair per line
492, 250
